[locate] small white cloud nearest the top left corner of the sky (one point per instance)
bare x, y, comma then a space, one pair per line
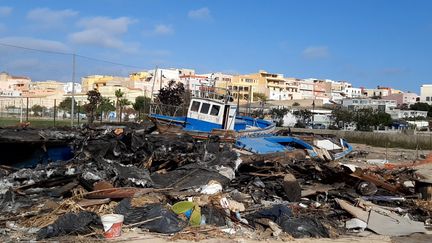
50, 17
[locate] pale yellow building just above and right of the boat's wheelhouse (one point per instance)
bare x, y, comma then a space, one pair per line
241, 87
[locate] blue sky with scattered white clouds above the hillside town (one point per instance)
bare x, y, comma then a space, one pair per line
368, 42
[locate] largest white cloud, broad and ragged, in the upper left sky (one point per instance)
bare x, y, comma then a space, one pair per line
103, 31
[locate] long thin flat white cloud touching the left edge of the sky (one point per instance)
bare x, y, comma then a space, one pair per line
42, 44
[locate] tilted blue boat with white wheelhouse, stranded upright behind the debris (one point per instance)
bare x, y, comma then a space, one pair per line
212, 114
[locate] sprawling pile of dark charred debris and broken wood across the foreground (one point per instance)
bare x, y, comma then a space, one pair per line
176, 185
